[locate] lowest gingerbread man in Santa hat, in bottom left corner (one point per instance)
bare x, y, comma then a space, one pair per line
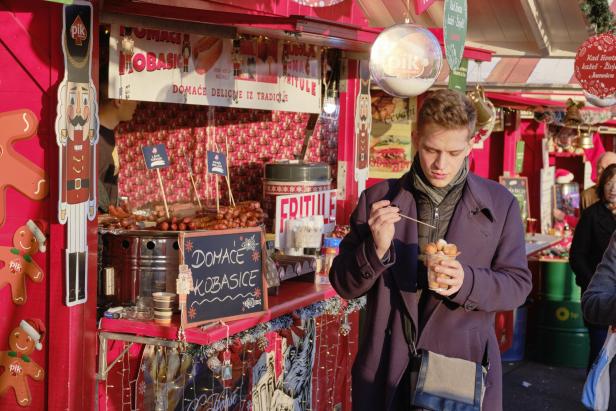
16, 364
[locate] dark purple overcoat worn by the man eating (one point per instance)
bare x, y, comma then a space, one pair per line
487, 228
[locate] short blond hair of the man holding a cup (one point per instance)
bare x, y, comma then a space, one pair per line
447, 109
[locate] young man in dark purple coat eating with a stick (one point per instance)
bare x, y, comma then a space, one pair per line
379, 258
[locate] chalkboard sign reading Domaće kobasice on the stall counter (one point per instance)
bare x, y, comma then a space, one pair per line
227, 269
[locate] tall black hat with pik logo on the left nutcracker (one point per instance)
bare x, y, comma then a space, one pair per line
77, 41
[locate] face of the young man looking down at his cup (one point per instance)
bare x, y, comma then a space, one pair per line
441, 152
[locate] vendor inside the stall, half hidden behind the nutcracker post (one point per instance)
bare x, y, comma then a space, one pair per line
110, 113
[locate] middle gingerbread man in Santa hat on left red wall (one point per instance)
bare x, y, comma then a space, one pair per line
18, 264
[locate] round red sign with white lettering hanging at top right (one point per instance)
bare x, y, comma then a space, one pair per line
595, 65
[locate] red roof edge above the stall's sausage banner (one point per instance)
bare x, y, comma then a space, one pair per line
342, 26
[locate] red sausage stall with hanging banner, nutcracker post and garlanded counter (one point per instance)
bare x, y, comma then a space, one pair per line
303, 328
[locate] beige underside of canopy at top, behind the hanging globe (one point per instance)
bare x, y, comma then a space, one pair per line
541, 28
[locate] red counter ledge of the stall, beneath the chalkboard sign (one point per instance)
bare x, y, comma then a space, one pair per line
292, 295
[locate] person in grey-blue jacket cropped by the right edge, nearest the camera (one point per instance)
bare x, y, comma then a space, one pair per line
599, 301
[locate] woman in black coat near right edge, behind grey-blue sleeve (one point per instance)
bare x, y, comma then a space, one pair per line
590, 240
